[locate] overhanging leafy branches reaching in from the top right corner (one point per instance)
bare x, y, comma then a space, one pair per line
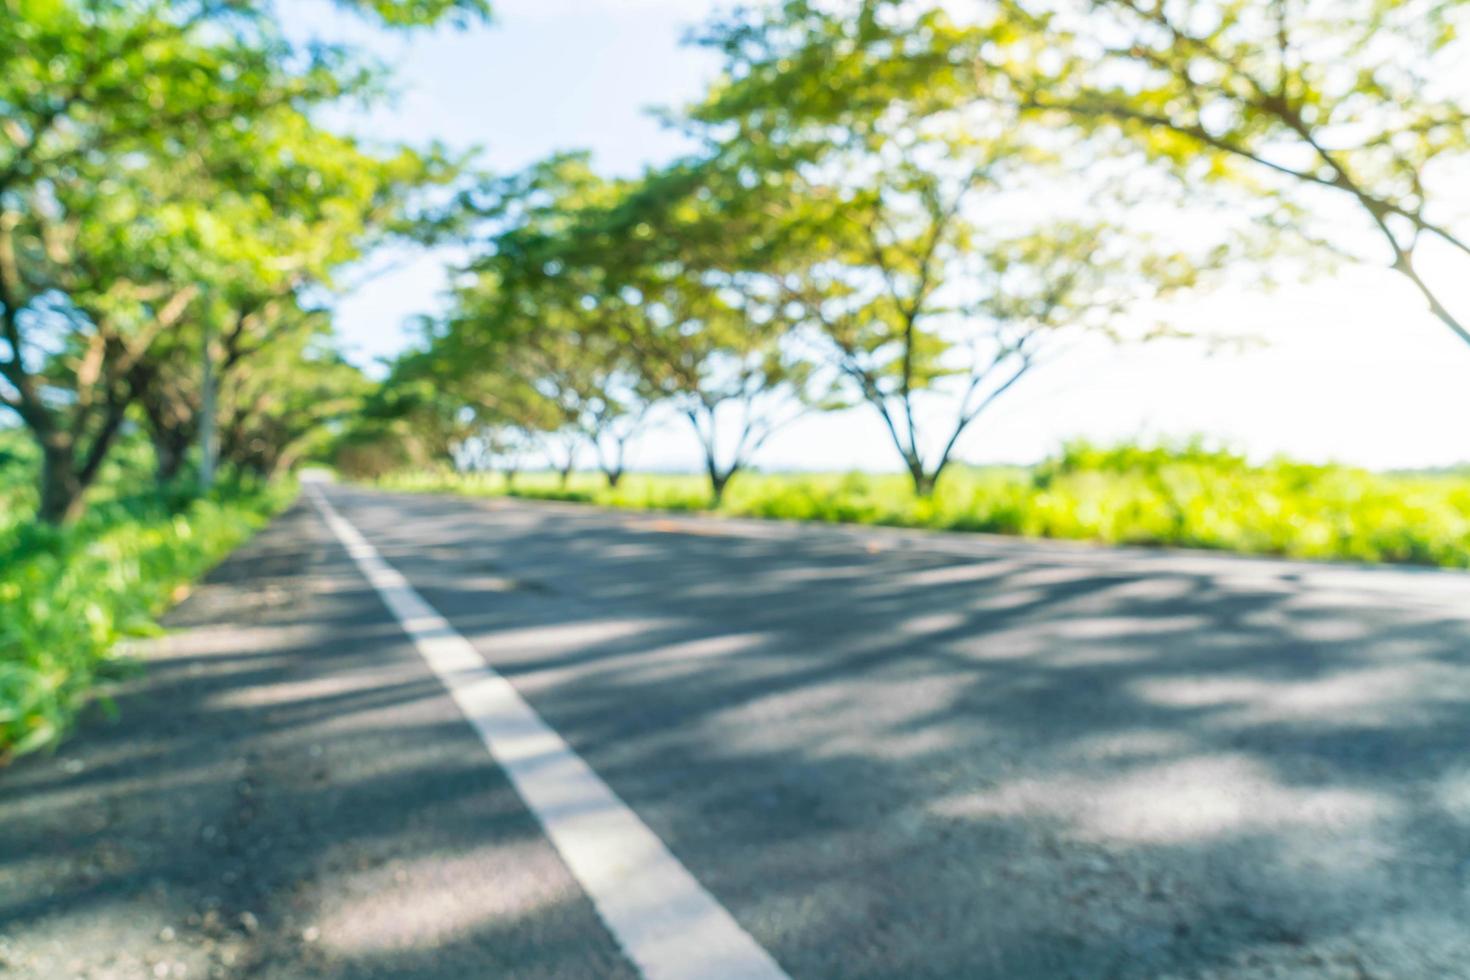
1335, 121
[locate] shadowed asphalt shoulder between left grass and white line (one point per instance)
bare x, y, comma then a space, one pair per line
286, 793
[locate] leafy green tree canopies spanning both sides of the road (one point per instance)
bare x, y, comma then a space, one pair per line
896, 206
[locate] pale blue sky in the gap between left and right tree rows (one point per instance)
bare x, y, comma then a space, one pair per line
548, 76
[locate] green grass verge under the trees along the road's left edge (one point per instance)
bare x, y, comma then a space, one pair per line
70, 597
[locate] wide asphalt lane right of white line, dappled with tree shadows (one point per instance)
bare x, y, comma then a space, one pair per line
1027, 765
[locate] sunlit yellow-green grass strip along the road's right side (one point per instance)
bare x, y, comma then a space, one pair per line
1183, 496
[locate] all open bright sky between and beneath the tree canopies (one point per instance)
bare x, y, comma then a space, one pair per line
1349, 368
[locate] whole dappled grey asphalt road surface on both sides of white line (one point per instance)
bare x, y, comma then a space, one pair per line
886, 754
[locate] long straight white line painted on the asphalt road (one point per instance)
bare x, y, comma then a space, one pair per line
664, 919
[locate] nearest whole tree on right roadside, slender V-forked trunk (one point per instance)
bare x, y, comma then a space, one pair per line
890, 218
